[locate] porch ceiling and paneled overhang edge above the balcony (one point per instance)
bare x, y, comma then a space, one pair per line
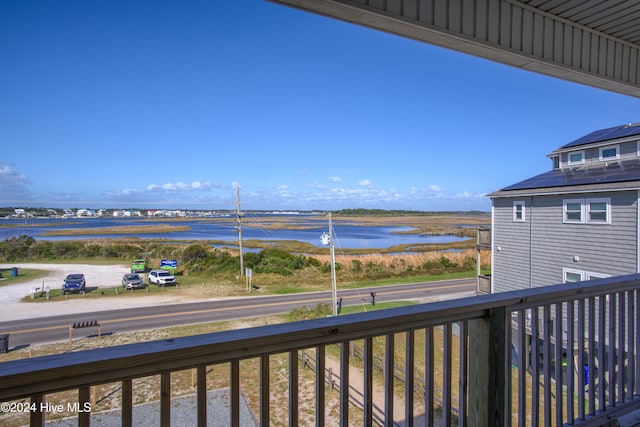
592, 42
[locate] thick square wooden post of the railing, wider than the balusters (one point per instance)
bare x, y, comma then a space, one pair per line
487, 370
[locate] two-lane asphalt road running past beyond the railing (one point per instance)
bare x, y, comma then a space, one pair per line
27, 332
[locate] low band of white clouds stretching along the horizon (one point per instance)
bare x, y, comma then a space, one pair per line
15, 190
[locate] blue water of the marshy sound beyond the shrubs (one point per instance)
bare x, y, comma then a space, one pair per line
346, 235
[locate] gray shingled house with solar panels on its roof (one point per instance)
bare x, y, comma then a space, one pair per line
578, 221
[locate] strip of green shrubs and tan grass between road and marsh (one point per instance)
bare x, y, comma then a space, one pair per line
274, 270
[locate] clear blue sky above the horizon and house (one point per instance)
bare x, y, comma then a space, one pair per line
168, 104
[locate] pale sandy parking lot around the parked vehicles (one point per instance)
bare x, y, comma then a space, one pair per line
11, 307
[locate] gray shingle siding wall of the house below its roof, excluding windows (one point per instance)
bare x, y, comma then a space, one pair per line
534, 253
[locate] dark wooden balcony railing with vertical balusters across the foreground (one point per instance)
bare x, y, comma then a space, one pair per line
554, 355
